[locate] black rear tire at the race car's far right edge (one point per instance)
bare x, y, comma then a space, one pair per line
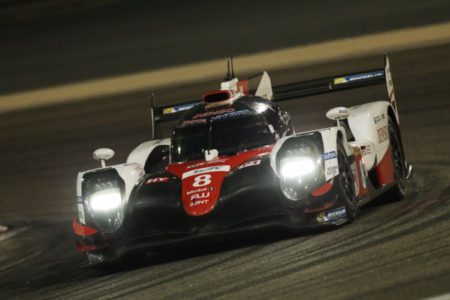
397, 193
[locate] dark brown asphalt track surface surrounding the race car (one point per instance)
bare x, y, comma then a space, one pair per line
392, 250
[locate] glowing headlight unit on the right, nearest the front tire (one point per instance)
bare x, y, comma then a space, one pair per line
299, 166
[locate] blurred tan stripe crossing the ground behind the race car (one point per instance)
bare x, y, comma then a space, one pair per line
271, 60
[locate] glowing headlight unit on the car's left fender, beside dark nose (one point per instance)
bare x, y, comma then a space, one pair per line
103, 192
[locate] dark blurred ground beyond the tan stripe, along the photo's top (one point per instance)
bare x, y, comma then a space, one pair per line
119, 37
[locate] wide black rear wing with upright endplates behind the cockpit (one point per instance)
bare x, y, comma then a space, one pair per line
298, 90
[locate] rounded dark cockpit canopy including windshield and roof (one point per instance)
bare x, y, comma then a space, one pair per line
248, 123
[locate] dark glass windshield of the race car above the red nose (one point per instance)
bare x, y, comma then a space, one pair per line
228, 137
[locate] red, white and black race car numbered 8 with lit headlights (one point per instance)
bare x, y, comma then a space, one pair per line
235, 163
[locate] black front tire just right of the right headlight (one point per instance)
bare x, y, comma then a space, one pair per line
345, 181
